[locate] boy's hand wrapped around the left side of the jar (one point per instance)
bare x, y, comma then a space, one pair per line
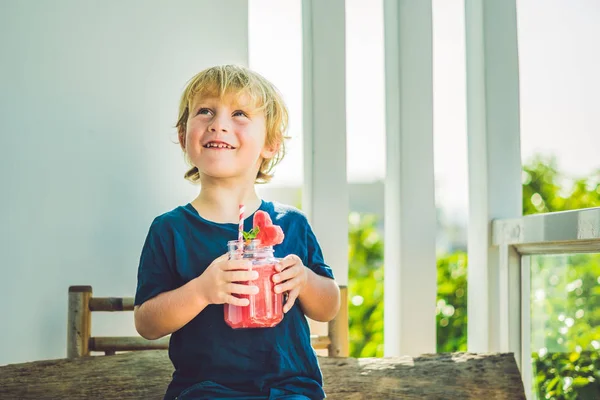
220, 281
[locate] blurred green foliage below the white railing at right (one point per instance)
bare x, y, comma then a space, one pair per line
565, 322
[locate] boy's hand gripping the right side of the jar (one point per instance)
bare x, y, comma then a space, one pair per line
291, 278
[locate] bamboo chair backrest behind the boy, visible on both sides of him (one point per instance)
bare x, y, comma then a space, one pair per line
80, 341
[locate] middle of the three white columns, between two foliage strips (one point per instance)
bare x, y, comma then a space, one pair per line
410, 215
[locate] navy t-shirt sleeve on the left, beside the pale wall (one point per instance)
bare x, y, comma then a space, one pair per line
156, 272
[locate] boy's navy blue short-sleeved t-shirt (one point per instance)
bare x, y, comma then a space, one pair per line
180, 245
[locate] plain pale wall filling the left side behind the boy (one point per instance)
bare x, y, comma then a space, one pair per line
88, 99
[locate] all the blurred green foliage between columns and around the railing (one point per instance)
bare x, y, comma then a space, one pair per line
567, 363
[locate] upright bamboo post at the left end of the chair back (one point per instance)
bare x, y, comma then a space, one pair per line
79, 324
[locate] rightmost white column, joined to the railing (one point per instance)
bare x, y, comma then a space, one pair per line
494, 167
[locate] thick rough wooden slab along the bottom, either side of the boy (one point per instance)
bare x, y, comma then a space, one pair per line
146, 374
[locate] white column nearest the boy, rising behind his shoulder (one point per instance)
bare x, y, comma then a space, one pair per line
325, 191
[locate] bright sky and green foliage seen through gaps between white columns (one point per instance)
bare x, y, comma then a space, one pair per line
559, 59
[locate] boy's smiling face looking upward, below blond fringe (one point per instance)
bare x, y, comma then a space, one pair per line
225, 137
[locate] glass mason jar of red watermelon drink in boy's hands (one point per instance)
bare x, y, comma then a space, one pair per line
266, 307
